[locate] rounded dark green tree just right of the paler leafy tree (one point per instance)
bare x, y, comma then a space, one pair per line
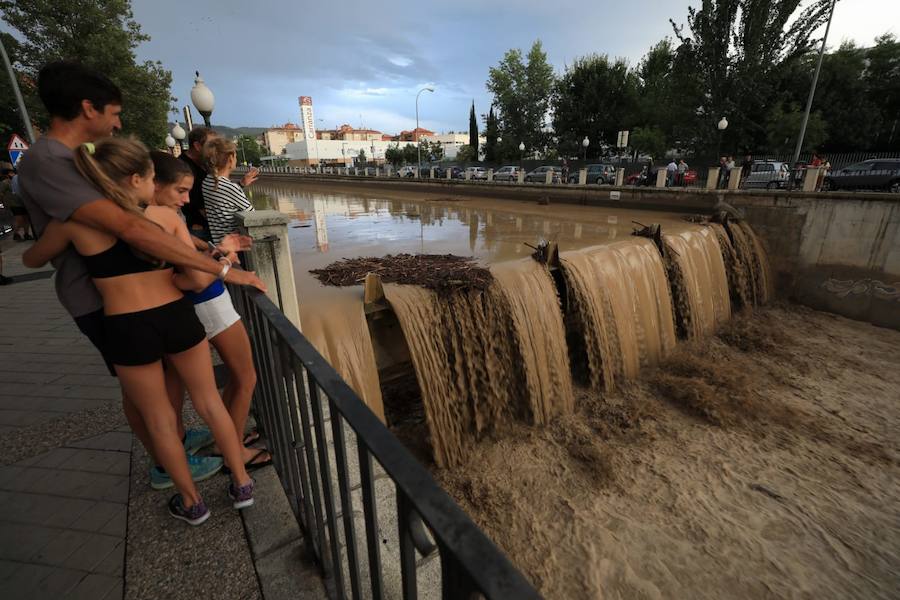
595, 98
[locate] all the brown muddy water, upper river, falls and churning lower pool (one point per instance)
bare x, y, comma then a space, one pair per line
614, 424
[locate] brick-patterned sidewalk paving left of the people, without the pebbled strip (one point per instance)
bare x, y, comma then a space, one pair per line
66, 456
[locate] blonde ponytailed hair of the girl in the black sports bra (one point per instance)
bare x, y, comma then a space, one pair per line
110, 162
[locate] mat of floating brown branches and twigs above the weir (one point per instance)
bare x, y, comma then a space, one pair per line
439, 272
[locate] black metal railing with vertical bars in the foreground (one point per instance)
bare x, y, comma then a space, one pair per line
303, 404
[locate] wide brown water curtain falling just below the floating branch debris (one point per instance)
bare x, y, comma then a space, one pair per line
482, 358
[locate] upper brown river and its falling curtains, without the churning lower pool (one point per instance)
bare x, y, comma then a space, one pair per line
612, 306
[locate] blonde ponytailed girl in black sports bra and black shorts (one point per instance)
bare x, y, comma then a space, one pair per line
146, 317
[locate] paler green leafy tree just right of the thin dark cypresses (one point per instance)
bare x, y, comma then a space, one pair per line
521, 93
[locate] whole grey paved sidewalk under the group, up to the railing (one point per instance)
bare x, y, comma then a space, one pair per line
79, 517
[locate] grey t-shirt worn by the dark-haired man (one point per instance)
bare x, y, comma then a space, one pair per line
52, 188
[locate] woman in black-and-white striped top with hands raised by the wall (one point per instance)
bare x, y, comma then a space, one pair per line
221, 196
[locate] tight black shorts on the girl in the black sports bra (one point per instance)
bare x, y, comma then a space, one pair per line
144, 337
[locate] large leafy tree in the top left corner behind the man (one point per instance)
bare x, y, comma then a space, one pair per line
101, 34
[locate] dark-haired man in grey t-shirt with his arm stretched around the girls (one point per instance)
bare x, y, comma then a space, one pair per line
85, 105
